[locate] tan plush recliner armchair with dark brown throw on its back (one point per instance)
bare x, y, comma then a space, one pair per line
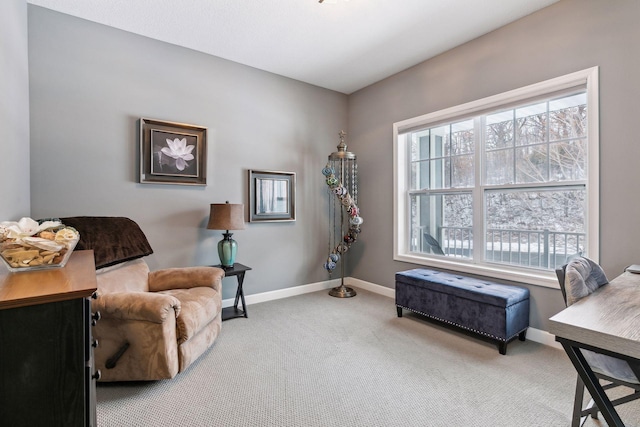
153, 324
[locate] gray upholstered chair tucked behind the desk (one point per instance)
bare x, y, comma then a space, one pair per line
578, 279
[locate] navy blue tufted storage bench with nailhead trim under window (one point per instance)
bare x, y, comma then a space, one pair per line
497, 311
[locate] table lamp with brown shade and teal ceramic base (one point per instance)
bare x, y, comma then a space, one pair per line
225, 216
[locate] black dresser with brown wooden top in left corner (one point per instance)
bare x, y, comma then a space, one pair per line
47, 377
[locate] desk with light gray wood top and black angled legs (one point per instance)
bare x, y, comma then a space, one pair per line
608, 322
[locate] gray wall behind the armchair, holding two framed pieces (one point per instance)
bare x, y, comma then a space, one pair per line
89, 86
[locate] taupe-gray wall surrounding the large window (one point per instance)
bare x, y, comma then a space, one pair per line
568, 36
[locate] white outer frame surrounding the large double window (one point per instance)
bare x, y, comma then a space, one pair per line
588, 79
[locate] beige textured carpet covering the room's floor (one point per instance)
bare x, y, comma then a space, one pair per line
314, 360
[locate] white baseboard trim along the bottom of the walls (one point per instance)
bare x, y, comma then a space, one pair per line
533, 334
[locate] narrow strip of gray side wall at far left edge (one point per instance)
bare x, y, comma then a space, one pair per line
14, 111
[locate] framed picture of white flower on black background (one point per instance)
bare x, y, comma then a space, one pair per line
172, 153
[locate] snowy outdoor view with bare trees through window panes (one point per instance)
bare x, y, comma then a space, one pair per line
534, 167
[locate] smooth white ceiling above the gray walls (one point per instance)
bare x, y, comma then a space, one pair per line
343, 46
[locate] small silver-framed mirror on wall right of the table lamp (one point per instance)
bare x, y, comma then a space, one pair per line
272, 196
